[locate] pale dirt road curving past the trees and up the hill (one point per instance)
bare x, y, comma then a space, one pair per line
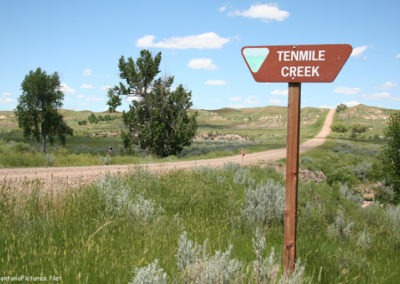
75, 176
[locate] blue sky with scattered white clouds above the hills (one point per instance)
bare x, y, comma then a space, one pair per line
200, 42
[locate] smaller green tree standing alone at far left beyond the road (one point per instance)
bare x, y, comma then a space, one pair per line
37, 109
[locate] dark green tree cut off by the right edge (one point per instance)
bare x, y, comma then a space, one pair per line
391, 153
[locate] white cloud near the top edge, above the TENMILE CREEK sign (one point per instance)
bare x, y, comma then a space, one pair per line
265, 12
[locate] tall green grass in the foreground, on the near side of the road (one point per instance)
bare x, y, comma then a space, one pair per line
109, 231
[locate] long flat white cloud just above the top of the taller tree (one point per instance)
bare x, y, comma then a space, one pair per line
202, 41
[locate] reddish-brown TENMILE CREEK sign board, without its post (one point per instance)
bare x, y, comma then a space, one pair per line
296, 63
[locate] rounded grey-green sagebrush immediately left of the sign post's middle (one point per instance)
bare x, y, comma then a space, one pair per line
265, 204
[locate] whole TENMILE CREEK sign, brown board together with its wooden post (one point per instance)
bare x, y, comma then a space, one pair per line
294, 64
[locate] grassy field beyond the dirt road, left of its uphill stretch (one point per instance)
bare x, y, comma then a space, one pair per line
221, 132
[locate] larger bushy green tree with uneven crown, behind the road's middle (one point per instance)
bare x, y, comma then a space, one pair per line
159, 119
